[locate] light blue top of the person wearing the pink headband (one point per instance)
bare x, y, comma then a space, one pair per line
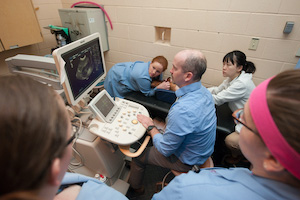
222, 184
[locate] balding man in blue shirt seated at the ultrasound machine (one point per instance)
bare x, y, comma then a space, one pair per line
190, 131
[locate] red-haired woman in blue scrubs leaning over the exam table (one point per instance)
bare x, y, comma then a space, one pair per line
127, 77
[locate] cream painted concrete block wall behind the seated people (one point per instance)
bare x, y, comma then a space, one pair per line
212, 26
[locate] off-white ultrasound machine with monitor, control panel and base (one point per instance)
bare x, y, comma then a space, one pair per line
105, 127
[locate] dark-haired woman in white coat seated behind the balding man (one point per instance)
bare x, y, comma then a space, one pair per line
235, 90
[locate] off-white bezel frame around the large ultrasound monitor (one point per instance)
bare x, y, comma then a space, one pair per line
60, 65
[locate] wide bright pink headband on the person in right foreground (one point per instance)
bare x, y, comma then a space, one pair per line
269, 132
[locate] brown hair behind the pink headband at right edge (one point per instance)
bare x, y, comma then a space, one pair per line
283, 97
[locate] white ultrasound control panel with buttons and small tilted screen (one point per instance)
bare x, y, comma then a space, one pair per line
116, 121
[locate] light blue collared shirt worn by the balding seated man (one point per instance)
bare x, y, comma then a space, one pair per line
191, 126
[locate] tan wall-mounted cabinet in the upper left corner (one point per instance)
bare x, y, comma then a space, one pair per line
18, 24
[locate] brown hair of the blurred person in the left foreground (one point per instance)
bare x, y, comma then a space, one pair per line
33, 124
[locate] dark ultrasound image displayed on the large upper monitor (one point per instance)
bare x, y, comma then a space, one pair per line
83, 66
